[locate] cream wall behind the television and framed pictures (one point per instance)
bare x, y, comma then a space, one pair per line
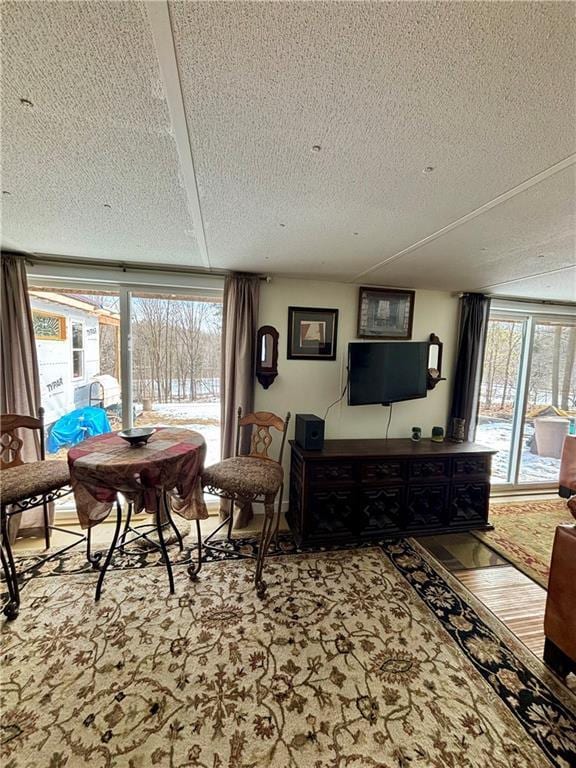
307, 386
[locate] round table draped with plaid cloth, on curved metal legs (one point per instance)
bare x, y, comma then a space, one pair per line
161, 477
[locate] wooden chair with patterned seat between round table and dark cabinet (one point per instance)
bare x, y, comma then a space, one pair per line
252, 478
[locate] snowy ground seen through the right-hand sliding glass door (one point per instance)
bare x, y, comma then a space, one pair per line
497, 434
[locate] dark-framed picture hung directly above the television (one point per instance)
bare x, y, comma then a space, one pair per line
385, 313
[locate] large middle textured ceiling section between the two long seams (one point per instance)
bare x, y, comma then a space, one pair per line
483, 92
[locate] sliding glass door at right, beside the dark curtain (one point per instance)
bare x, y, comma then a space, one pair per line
528, 395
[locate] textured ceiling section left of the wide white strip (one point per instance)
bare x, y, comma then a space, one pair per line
99, 132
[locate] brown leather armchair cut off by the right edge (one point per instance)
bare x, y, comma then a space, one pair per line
560, 617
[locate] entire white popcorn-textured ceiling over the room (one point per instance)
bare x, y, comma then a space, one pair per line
202, 169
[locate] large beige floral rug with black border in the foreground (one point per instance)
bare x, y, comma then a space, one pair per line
372, 657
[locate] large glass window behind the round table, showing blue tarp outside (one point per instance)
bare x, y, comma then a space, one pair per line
144, 351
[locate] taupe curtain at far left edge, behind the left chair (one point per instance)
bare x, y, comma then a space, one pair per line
20, 382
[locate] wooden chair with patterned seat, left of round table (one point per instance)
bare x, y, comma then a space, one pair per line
25, 485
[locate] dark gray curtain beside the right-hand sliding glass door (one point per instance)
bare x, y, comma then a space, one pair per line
473, 323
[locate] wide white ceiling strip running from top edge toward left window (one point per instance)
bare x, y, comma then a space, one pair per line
163, 36
